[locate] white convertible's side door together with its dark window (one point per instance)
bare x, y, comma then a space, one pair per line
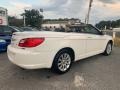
95, 40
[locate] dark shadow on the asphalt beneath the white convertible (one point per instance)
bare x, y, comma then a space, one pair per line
47, 73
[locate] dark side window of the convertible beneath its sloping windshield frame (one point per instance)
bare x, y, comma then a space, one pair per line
90, 29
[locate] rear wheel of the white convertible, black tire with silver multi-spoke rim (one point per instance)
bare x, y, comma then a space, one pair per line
62, 62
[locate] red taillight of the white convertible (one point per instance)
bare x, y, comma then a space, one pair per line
31, 42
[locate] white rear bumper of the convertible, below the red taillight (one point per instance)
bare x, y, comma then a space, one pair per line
29, 60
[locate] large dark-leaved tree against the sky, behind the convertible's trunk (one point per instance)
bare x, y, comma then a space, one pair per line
33, 18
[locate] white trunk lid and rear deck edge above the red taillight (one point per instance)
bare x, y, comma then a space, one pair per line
16, 37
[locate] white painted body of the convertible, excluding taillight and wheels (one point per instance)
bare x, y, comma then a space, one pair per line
42, 56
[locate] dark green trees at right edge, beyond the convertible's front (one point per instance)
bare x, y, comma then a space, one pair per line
108, 24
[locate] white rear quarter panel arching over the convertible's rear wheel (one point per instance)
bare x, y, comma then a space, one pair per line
53, 45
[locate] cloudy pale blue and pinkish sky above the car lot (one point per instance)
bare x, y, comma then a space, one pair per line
101, 9
